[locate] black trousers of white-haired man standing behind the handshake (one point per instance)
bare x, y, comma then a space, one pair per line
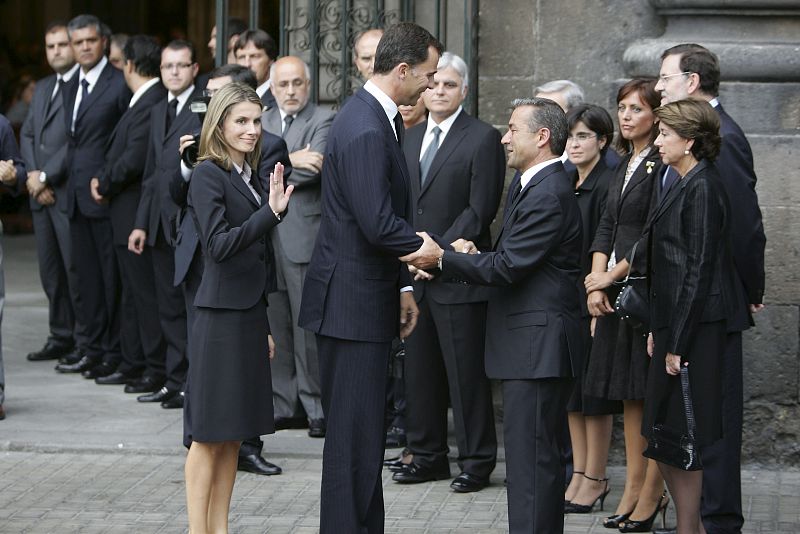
444, 355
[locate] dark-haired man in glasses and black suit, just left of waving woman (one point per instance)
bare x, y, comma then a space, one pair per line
156, 218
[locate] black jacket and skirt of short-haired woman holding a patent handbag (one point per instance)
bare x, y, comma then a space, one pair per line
693, 297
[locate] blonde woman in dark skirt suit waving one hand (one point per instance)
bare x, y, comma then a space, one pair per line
229, 375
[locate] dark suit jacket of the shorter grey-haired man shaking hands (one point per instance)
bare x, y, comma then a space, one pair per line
533, 325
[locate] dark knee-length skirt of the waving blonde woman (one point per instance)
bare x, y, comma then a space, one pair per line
229, 386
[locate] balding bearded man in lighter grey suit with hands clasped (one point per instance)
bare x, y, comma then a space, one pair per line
304, 127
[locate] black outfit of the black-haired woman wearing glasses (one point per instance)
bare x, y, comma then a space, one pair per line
591, 196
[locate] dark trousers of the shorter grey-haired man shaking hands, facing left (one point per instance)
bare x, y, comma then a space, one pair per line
534, 412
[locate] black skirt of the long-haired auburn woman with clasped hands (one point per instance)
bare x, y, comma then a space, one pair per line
617, 365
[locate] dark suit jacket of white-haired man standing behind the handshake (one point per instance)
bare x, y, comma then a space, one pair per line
460, 196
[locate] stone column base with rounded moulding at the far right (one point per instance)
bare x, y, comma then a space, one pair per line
758, 44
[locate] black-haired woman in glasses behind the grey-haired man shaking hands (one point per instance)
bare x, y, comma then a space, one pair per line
591, 131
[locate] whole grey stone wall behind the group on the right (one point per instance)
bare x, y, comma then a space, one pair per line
524, 43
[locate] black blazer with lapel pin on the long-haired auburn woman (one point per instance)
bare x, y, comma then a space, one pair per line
626, 214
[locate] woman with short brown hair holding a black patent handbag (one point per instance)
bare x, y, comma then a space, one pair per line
692, 292
